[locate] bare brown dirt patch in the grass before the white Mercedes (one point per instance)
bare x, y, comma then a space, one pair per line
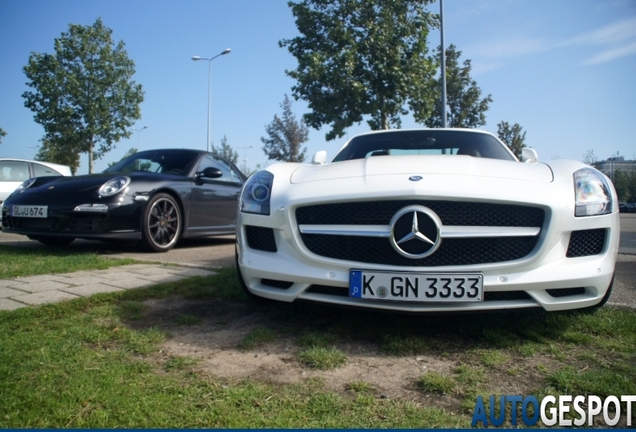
216, 340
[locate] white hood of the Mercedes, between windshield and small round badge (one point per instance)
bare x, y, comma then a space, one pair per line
424, 166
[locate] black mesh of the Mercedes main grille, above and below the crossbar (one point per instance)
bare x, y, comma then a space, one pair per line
461, 251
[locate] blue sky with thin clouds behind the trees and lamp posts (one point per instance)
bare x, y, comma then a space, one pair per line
565, 70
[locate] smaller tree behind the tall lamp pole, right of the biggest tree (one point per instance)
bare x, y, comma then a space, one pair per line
466, 108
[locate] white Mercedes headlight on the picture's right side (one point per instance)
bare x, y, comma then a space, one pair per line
593, 194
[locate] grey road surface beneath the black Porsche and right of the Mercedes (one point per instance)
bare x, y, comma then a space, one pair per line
216, 252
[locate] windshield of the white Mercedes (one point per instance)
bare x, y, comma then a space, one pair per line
424, 142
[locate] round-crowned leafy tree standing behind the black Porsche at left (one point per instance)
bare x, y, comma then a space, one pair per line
83, 95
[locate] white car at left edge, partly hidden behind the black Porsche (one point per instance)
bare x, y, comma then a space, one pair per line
13, 172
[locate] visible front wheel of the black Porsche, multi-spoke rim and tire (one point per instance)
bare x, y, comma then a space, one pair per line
161, 224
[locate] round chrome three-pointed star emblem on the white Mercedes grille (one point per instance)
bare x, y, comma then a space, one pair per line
415, 231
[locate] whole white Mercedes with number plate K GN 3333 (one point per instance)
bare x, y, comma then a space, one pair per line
429, 220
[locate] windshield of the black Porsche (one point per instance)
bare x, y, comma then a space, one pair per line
178, 162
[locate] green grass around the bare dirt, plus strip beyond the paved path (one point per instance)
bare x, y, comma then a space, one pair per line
88, 363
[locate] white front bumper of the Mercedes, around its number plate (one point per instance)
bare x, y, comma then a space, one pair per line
547, 278
